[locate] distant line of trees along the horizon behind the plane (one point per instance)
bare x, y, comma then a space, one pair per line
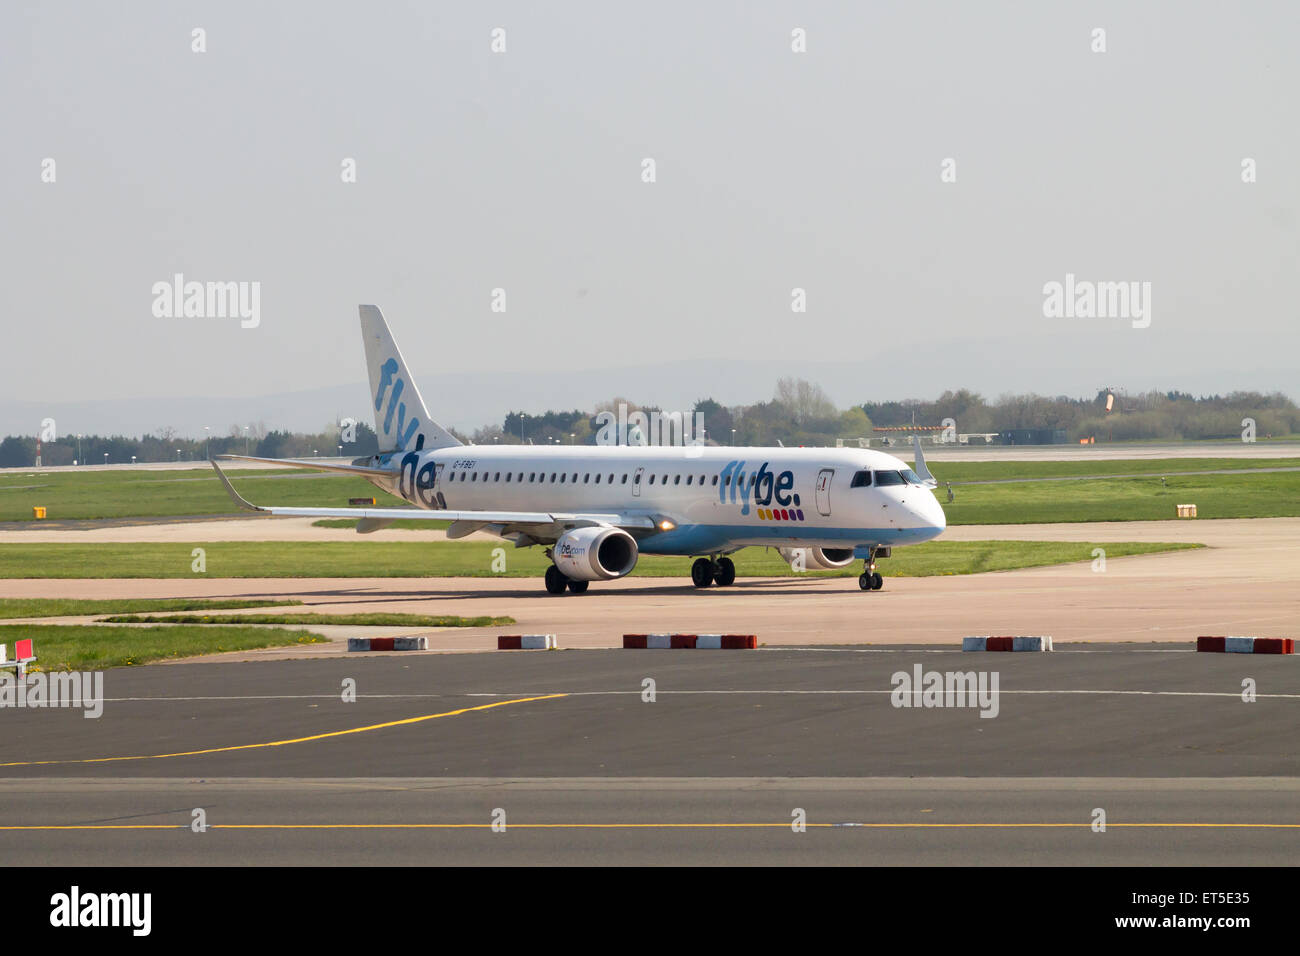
800, 413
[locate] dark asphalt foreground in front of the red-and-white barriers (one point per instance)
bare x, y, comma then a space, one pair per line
713, 771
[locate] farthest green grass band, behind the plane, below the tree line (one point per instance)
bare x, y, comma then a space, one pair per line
1022, 500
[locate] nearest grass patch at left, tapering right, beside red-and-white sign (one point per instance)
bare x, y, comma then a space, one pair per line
94, 647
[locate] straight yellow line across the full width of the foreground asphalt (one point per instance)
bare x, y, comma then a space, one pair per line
640, 827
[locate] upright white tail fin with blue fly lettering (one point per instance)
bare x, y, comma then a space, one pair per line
401, 418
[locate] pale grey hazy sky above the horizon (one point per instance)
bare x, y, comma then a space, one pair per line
523, 171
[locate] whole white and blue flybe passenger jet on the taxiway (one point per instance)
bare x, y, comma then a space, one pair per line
596, 509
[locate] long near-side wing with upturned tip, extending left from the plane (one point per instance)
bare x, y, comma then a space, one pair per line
530, 522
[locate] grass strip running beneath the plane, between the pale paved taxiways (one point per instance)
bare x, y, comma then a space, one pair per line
475, 560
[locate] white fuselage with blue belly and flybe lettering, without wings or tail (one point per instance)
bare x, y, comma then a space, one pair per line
717, 499
